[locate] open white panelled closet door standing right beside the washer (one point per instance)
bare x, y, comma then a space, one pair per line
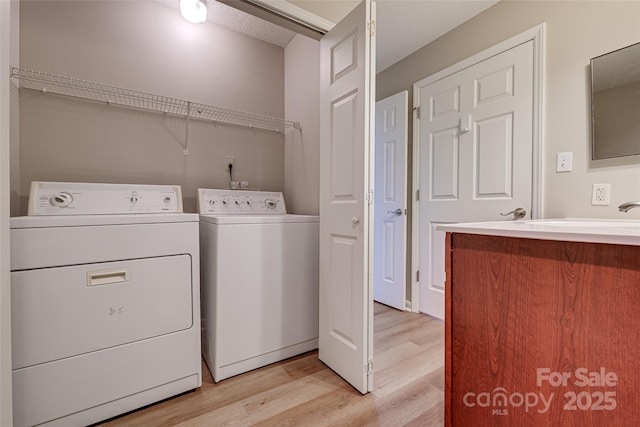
346, 118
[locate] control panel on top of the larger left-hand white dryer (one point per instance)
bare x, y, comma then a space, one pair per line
75, 198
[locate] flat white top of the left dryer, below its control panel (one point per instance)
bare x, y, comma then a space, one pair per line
95, 220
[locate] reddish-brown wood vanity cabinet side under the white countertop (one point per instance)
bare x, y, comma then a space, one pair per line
541, 332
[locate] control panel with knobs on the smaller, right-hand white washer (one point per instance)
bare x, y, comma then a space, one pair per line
240, 202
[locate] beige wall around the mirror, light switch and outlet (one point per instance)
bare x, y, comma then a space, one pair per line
576, 32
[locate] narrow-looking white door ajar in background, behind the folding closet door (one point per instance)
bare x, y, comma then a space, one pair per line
390, 207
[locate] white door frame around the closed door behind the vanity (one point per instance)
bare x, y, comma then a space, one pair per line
535, 34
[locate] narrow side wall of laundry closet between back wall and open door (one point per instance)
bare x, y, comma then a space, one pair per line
302, 103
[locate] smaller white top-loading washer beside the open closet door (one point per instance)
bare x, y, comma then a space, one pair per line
259, 269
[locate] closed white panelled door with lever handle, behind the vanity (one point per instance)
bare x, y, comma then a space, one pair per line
476, 136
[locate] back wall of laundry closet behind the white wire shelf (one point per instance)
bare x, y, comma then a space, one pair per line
146, 46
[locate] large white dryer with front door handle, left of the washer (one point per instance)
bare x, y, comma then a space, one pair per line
105, 301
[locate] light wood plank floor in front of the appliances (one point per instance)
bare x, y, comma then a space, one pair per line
302, 391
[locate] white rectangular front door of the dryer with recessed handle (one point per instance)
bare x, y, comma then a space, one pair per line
66, 311
